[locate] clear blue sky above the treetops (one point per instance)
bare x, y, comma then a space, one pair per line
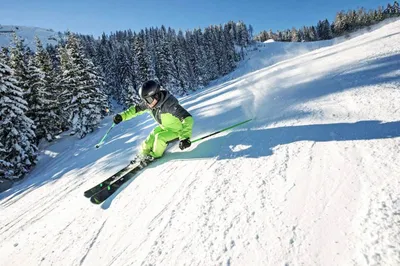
97, 16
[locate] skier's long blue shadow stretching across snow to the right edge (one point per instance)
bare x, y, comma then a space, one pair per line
248, 143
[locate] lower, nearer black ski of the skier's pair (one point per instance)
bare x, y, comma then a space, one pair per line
108, 190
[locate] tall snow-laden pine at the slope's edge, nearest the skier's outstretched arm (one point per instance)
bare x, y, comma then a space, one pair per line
82, 98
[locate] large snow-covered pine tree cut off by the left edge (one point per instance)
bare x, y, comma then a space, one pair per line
17, 136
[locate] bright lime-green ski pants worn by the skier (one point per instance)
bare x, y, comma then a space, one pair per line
156, 143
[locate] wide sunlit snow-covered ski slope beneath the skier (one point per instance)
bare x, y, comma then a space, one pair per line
313, 180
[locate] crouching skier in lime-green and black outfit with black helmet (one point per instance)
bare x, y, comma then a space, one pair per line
174, 121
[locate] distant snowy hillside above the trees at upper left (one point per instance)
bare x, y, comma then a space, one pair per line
28, 34
